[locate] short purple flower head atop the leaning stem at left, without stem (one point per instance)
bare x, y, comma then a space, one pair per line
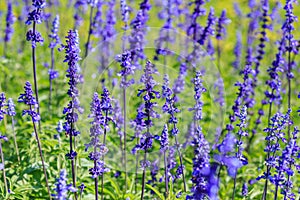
29, 99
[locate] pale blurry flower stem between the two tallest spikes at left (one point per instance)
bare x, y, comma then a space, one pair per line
55, 40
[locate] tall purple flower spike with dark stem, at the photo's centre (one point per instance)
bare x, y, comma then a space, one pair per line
149, 94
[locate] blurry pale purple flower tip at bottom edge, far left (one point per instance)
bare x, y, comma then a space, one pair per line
62, 188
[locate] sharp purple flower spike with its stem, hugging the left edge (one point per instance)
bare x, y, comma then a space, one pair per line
3, 112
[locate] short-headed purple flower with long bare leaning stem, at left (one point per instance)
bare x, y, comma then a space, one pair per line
28, 99
